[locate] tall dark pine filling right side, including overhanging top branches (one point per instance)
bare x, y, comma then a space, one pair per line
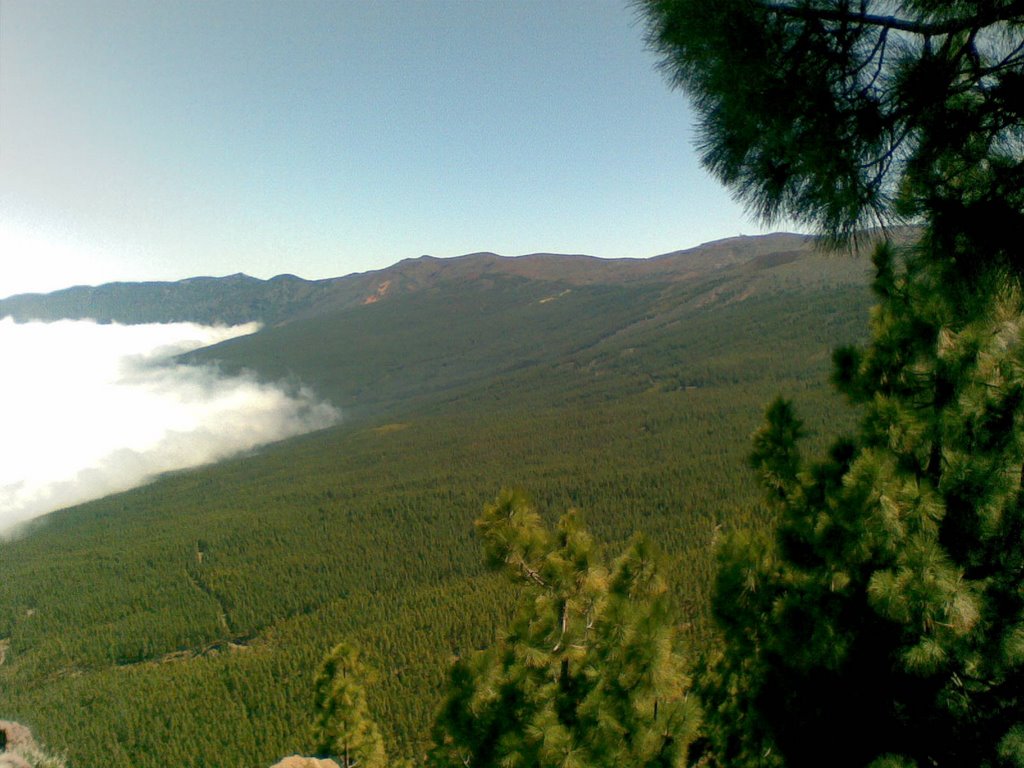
883, 623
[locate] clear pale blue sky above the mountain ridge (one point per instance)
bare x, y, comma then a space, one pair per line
156, 140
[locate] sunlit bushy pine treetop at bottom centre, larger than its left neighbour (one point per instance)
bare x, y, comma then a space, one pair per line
588, 675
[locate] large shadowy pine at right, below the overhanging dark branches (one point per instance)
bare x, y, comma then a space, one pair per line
886, 614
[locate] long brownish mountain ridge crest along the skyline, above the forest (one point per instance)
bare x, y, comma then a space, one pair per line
241, 298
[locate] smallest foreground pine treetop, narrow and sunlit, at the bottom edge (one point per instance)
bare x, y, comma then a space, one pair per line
343, 727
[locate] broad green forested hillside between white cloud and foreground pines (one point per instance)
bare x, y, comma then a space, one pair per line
181, 624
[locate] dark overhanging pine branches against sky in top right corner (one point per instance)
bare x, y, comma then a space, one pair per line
841, 114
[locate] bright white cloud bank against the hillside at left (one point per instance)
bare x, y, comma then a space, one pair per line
89, 410
